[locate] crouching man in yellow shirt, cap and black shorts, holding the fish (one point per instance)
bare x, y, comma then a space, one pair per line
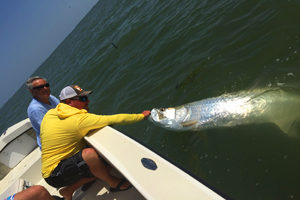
66, 161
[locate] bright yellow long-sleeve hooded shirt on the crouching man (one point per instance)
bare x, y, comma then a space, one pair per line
63, 129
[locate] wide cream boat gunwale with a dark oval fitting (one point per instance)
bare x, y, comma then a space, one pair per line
150, 174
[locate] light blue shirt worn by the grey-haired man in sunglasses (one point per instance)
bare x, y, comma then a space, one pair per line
36, 111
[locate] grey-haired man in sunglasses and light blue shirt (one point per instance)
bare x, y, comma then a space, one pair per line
42, 102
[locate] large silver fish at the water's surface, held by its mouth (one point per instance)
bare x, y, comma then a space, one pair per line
246, 107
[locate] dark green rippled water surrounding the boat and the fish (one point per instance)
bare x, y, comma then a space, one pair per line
137, 55
